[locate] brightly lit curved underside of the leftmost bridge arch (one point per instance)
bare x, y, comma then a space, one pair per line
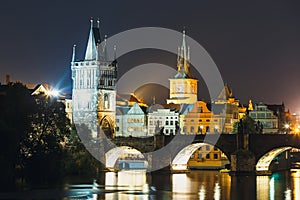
114, 154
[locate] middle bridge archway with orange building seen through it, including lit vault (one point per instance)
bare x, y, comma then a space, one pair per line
199, 156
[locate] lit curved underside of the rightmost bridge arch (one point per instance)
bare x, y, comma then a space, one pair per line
264, 162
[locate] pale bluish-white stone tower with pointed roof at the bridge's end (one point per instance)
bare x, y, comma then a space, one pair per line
94, 85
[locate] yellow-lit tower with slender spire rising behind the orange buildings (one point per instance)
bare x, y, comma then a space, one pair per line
183, 87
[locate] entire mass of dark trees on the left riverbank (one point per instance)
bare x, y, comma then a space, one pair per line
37, 139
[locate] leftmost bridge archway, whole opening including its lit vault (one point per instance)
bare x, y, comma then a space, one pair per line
125, 158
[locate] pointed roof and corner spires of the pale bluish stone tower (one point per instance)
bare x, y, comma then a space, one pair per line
95, 50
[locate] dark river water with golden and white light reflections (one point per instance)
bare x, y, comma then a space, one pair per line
192, 185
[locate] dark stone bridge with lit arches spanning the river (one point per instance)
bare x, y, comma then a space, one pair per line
248, 153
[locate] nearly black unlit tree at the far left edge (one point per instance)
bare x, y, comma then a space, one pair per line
17, 106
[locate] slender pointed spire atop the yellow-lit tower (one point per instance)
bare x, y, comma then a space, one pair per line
183, 60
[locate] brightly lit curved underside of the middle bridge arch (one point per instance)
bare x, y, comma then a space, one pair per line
180, 161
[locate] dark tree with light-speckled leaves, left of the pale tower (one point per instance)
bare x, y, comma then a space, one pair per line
42, 147
